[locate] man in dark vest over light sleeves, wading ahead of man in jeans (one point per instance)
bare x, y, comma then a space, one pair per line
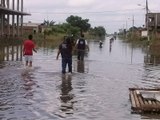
81, 46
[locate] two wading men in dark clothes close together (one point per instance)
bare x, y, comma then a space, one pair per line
66, 49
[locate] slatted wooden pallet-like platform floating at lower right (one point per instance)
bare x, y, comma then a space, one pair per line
145, 100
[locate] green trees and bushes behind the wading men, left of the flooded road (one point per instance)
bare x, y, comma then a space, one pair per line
74, 26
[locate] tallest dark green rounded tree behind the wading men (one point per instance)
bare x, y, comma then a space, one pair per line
77, 21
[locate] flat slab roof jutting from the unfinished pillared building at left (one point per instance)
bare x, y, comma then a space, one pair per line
12, 12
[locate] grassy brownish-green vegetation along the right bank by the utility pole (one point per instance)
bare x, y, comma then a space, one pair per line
151, 45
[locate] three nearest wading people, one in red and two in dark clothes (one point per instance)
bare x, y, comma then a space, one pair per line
65, 49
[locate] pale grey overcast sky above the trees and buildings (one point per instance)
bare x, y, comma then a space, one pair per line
111, 14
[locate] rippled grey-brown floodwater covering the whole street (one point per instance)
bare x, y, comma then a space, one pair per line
96, 90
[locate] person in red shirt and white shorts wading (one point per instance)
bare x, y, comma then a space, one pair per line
28, 48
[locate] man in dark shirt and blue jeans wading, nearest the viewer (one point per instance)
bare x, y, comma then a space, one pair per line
65, 49
